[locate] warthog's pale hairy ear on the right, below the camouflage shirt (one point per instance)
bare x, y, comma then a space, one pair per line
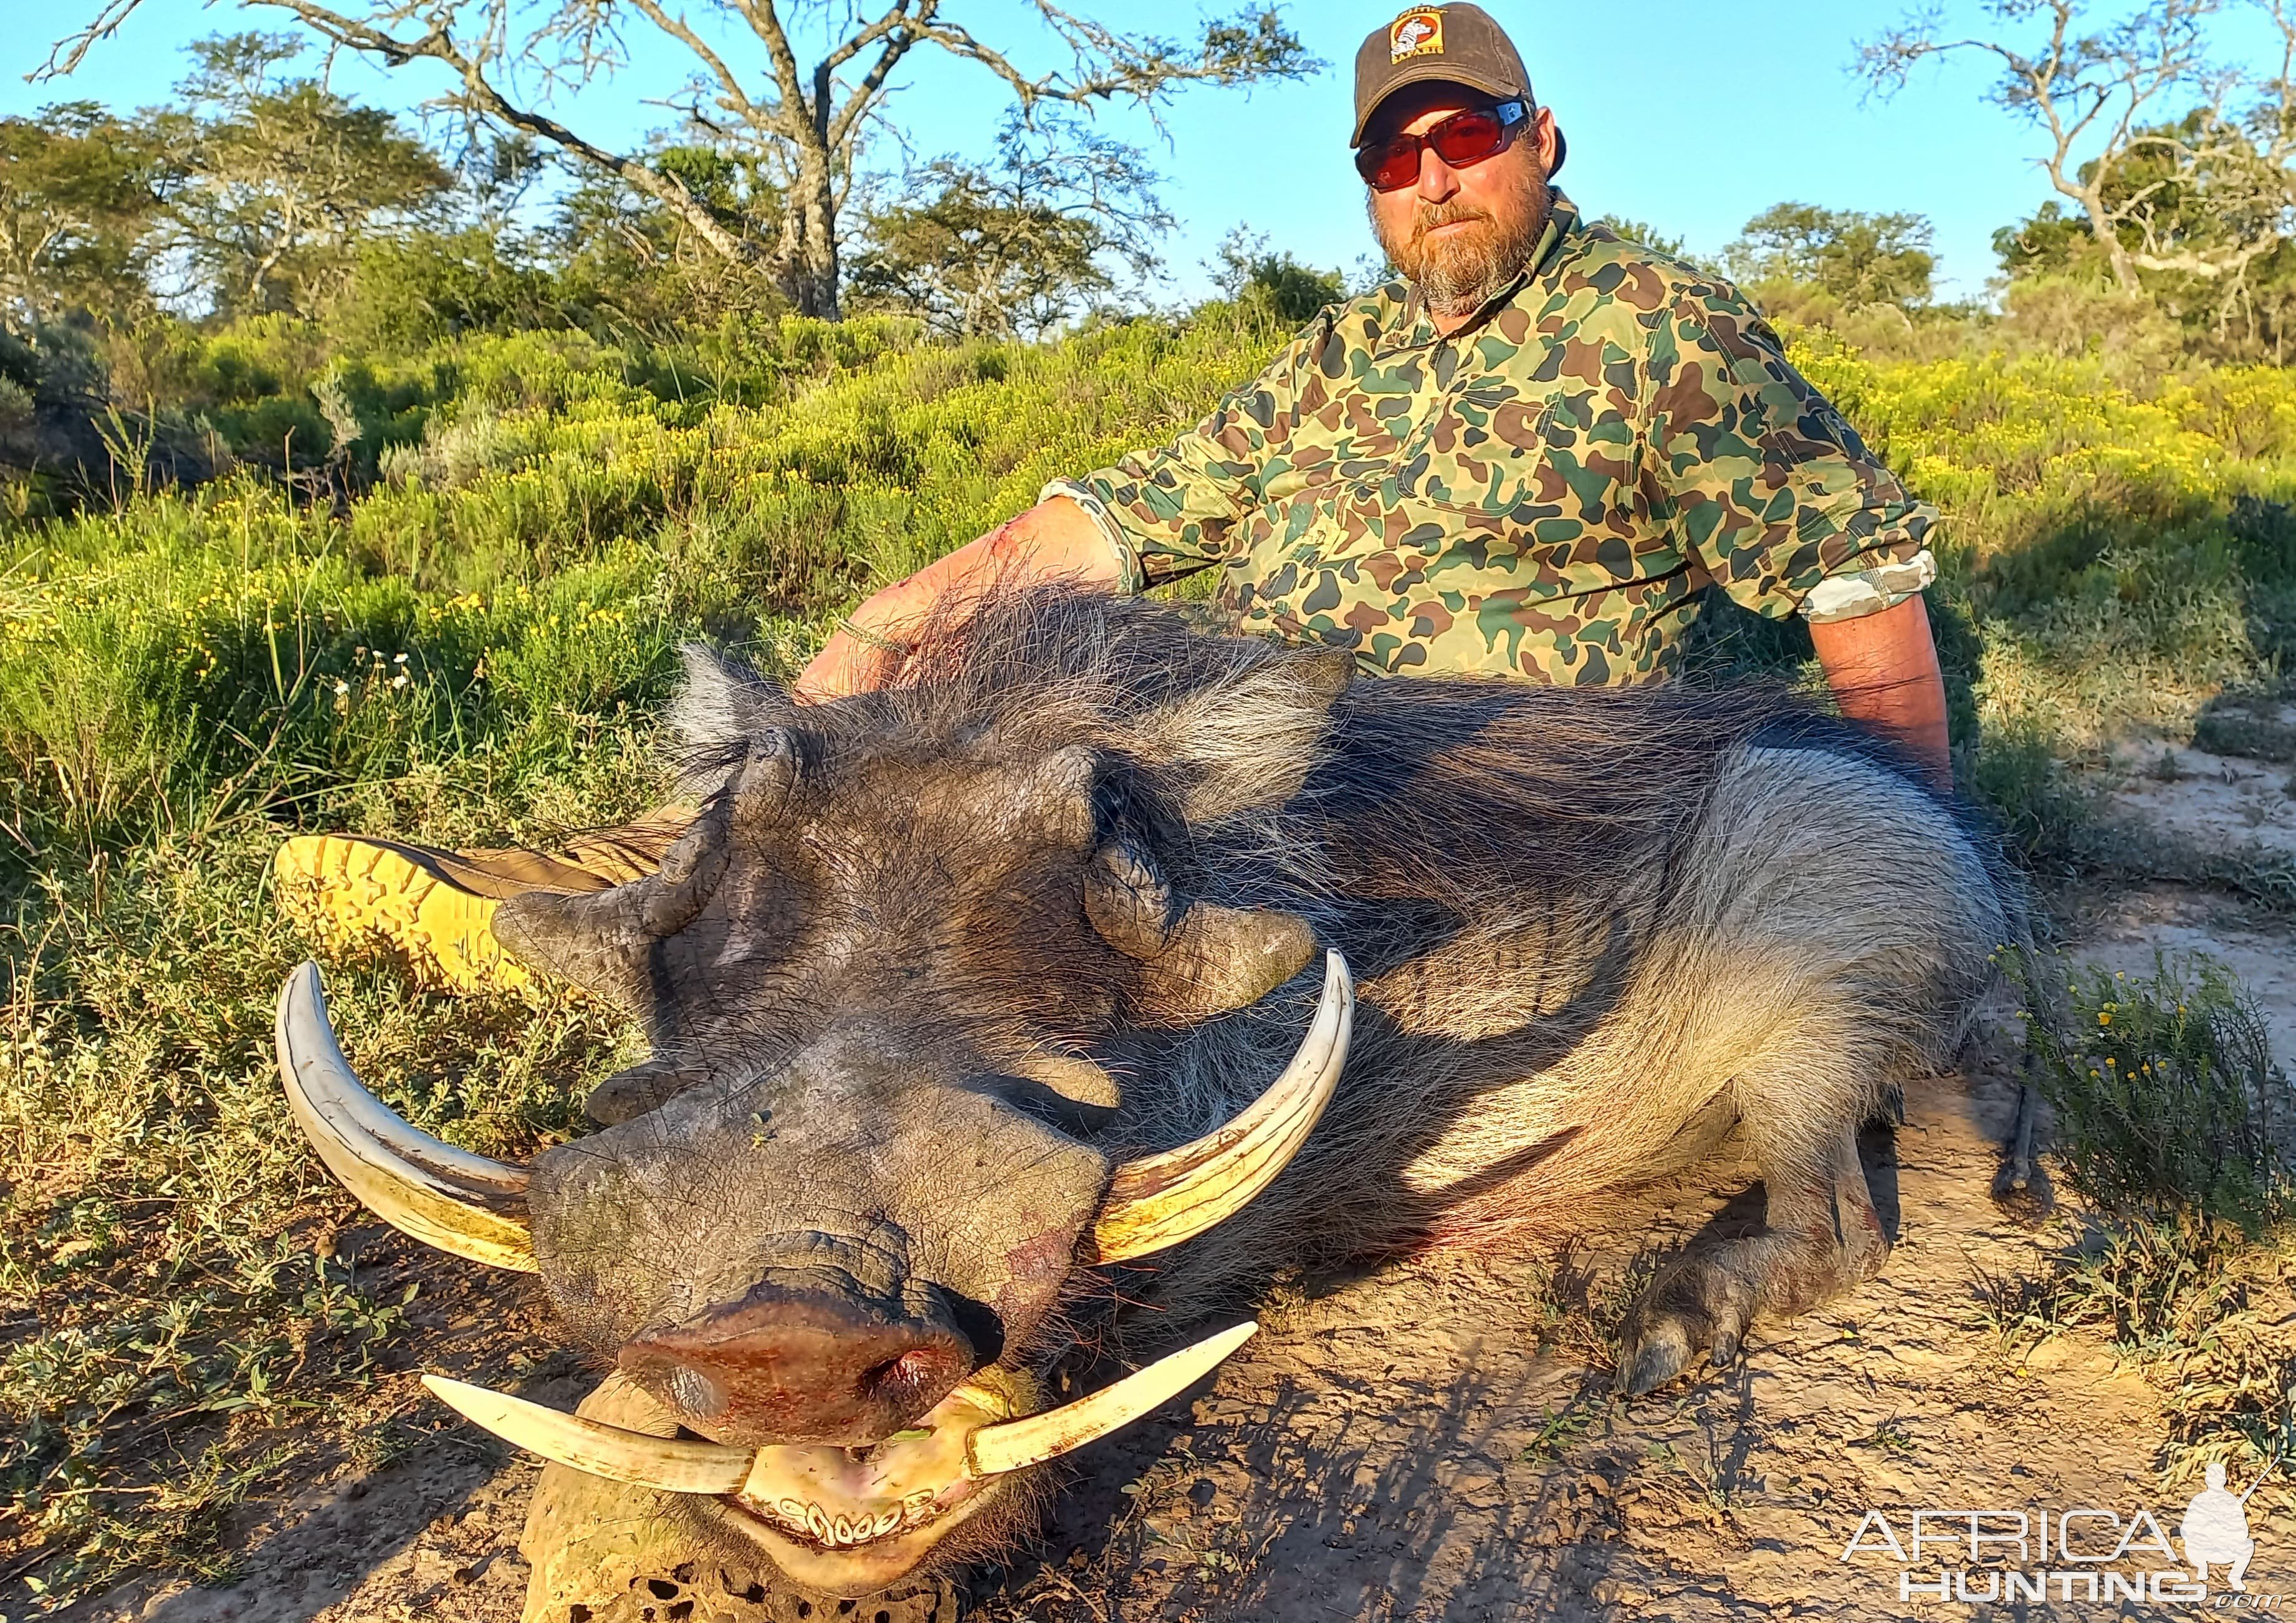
1248, 743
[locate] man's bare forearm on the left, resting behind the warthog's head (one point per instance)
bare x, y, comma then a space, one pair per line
1050, 543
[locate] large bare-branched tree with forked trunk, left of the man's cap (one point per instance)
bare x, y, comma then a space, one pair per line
750, 93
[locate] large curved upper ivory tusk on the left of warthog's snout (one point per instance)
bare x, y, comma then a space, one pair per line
430, 1190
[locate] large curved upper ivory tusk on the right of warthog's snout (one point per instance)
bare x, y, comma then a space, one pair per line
1163, 1199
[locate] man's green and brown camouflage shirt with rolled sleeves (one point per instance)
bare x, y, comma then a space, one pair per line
1544, 495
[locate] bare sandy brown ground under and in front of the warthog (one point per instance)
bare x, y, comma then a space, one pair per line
1438, 1440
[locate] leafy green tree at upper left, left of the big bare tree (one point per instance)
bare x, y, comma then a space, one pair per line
281, 178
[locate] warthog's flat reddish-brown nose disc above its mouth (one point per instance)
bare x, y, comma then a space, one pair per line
798, 1365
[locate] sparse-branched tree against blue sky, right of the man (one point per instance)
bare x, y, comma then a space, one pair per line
2116, 150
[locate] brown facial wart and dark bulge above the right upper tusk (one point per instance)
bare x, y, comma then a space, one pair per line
1197, 958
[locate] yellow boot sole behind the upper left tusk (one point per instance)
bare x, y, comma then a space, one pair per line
350, 892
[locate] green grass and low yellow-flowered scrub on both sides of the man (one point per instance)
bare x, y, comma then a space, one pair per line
476, 649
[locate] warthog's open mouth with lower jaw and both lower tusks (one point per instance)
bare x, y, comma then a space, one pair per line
844, 1521
